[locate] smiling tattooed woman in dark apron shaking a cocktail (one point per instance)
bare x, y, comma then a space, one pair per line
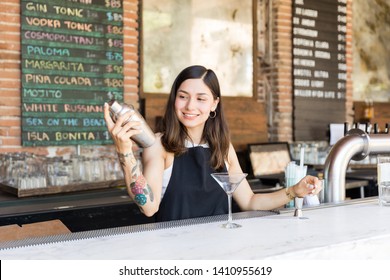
175, 182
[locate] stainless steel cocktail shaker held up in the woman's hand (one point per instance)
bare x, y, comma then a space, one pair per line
146, 138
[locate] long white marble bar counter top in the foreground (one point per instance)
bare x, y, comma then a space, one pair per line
359, 229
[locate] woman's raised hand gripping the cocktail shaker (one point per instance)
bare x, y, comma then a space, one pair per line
120, 133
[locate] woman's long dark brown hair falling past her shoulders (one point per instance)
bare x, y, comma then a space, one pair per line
215, 132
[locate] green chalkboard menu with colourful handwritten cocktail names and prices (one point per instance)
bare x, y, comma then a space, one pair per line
72, 62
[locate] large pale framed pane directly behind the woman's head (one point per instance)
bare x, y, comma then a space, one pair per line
215, 33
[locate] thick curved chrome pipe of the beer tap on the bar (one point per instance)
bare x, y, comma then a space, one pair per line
356, 145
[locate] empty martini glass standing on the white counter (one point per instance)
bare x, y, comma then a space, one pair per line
229, 183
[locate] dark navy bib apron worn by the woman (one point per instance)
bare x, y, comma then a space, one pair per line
191, 191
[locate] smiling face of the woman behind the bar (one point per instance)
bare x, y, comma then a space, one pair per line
193, 103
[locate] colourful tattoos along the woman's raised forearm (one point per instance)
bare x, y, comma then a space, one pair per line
138, 186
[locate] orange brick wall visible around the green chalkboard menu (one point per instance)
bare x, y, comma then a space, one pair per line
10, 83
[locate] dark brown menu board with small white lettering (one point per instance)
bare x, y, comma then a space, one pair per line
319, 66
